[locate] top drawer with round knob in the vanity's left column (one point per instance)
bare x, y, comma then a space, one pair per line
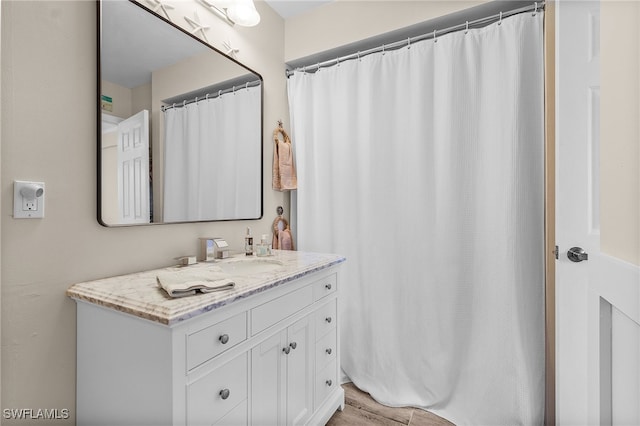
213, 340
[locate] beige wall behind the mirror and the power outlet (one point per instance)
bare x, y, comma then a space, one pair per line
48, 70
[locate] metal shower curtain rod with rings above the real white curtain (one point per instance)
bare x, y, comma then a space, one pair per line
478, 23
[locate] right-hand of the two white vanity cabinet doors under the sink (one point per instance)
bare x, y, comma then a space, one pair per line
300, 372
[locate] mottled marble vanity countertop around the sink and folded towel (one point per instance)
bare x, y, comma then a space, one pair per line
139, 293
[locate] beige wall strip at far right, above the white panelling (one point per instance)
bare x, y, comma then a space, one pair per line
620, 130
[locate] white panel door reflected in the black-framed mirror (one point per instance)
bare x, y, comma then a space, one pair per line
133, 169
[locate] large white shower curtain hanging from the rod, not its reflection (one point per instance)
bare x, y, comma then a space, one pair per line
424, 167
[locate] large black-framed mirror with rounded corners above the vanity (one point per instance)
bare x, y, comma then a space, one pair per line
179, 124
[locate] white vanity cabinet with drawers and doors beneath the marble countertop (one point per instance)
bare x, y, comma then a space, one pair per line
271, 358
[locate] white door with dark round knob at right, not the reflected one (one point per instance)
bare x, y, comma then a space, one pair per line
597, 298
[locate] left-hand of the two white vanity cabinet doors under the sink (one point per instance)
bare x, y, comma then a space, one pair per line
268, 373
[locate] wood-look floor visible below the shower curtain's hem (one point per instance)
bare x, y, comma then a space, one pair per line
361, 409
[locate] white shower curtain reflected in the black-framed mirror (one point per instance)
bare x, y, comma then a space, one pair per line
212, 158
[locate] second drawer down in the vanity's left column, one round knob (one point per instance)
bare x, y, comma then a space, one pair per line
217, 394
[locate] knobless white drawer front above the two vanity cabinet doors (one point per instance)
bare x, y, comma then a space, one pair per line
264, 316
